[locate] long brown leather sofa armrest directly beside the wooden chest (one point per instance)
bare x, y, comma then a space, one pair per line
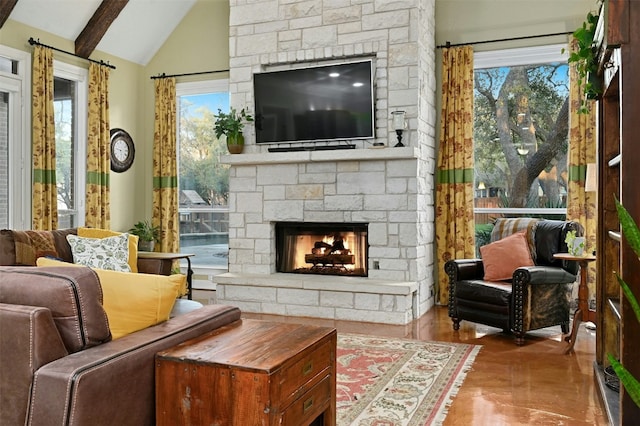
114, 383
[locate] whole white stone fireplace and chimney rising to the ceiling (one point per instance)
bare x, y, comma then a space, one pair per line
388, 189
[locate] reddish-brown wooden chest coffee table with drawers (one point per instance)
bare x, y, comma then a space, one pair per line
251, 372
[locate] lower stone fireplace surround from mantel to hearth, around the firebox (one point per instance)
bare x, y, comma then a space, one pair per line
376, 186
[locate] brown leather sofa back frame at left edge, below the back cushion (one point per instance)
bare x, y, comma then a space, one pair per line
29, 339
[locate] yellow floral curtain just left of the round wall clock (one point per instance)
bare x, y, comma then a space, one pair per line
98, 212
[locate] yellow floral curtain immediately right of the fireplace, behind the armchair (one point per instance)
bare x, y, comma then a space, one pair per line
455, 230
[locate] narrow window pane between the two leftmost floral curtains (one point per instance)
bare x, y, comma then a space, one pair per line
64, 113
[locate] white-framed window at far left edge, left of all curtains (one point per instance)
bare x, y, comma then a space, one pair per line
15, 178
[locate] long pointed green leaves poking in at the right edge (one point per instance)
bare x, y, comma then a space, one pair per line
631, 233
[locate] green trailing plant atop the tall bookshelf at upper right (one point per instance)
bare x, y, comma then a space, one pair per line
586, 60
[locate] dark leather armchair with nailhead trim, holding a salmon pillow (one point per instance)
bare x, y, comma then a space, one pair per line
536, 297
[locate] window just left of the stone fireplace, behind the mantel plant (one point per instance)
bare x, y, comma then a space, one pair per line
203, 181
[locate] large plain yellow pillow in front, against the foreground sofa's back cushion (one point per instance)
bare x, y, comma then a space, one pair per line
133, 301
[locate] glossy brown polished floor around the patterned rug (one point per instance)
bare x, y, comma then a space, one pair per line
534, 384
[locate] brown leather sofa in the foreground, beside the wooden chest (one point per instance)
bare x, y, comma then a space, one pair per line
58, 364
